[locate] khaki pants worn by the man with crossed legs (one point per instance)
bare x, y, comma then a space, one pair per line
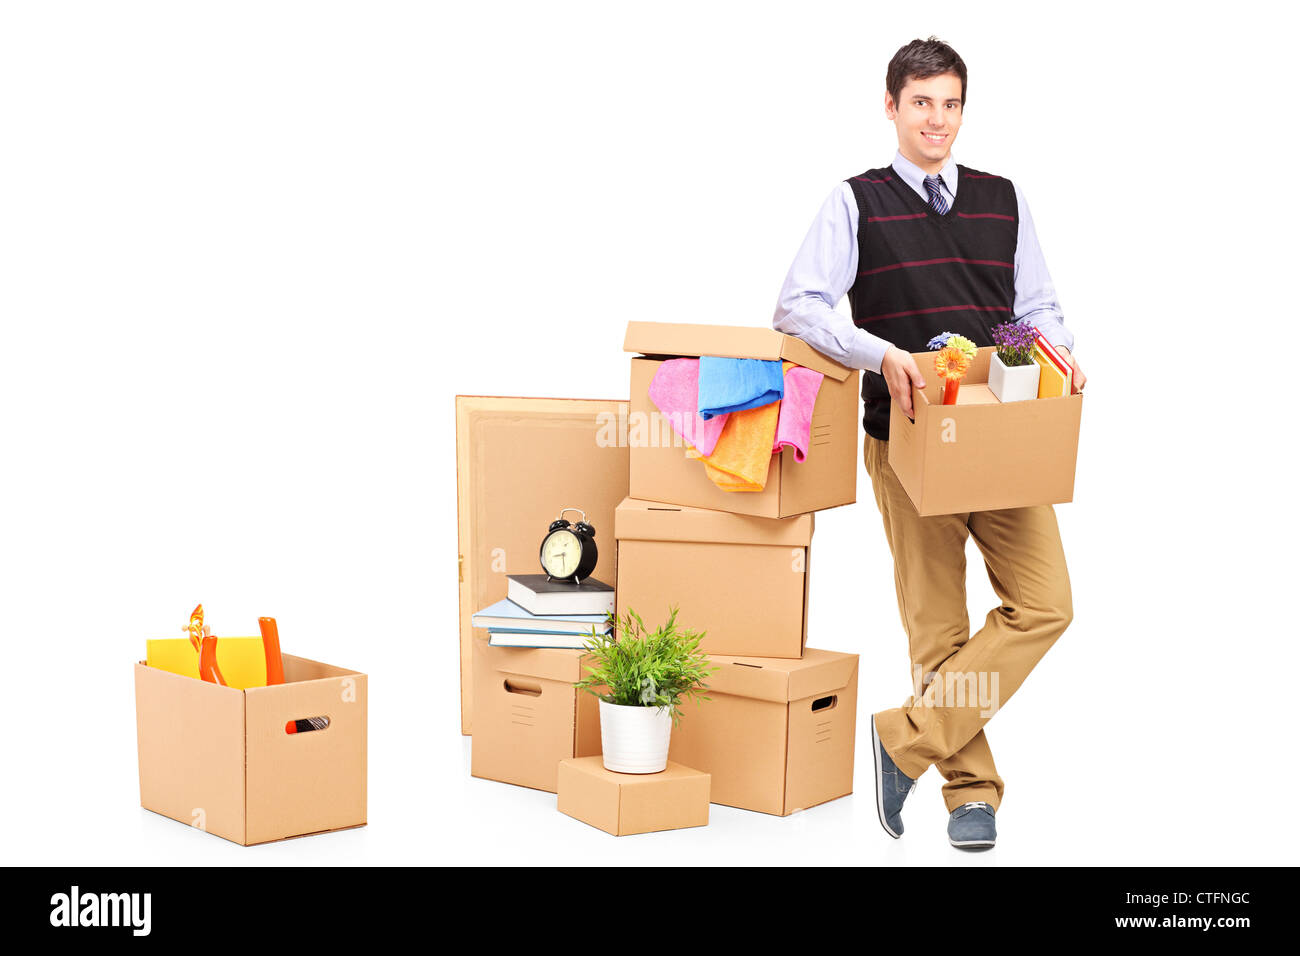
965, 677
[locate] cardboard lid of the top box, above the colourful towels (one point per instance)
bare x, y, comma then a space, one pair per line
729, 341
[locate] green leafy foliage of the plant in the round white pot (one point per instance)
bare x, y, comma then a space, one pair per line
647, 671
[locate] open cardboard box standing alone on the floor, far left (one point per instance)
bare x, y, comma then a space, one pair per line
219, 758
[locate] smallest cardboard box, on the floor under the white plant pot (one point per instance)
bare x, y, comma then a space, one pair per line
623, 804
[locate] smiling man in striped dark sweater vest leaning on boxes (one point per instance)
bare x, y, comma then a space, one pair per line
922, 248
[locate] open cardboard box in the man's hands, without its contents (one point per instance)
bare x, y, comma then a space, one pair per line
981, 455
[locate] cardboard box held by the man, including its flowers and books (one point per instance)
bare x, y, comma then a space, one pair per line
967, 448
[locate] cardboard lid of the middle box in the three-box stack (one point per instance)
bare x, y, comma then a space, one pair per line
649, 521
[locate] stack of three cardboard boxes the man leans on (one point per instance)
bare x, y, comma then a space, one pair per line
778, 732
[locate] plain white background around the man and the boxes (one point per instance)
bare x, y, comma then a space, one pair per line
250, 253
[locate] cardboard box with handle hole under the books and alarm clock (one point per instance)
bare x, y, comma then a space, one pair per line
528, 716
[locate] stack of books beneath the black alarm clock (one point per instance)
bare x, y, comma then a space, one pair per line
540, 613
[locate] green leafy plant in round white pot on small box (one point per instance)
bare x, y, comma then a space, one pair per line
640, 680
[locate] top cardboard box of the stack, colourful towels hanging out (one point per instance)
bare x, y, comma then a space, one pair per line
660, 469
